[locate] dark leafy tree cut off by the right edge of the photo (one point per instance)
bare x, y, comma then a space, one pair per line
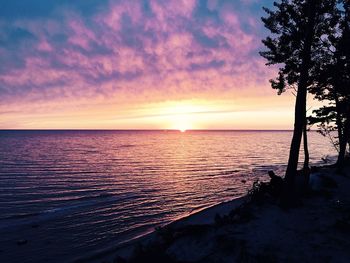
333, 83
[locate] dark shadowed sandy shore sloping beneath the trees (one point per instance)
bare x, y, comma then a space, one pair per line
246, 230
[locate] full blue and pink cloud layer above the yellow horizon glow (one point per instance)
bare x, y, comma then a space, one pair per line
134, 50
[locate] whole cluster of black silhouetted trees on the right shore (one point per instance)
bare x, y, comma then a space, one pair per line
309, 42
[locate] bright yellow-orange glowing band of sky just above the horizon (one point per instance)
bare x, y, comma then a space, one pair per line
237, 111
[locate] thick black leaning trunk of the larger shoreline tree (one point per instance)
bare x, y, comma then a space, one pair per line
300, 107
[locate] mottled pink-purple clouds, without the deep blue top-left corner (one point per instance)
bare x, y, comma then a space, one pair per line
168, 53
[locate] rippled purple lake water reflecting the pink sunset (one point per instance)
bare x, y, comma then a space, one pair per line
72, 193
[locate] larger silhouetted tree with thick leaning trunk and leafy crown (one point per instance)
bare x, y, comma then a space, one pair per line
296, 28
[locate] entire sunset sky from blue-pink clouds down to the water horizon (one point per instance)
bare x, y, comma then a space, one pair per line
143, 64
